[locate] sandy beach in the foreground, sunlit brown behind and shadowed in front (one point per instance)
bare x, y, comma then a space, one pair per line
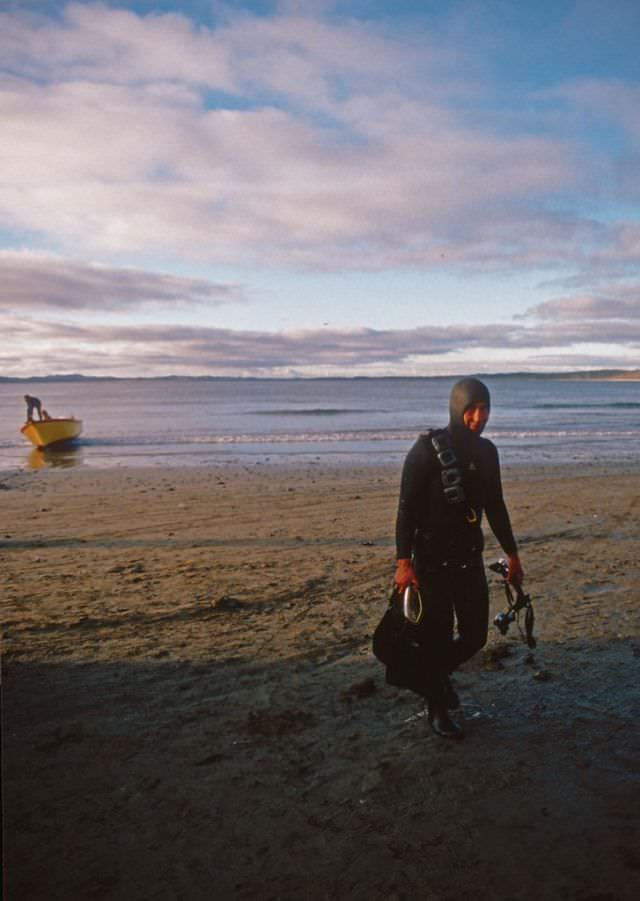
191, 708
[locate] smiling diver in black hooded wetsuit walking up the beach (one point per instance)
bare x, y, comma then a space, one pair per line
450, 478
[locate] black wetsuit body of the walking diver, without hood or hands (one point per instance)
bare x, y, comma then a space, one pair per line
446, 542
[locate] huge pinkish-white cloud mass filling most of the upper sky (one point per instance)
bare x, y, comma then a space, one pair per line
331, 146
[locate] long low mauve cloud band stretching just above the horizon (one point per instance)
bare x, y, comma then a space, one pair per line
187, 350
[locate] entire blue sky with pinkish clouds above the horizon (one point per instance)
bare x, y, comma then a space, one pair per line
284, 188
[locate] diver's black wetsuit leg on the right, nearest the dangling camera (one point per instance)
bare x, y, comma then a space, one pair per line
471, 605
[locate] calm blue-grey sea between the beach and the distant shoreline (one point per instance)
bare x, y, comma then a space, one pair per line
218, 422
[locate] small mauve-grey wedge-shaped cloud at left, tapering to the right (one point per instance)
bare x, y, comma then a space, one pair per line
42, 282
